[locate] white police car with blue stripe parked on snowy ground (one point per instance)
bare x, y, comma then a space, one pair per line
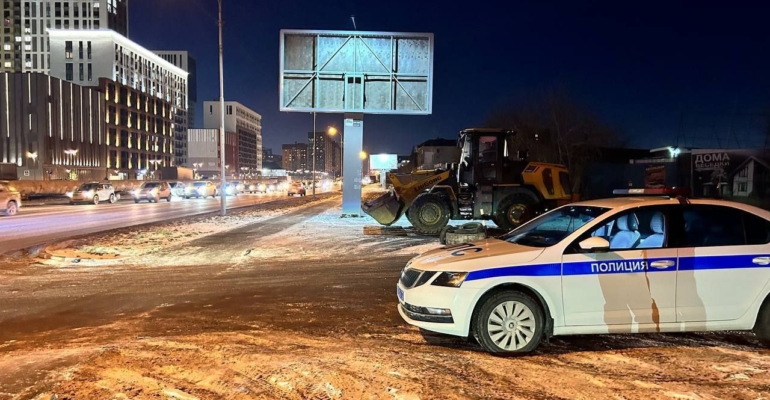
619, 265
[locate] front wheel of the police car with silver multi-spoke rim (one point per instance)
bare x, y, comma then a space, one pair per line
509, 323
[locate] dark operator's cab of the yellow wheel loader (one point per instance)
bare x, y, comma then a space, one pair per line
488, 157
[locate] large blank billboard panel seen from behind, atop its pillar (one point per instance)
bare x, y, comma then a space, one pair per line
356, 72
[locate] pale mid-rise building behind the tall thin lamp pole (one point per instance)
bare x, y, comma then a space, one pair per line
246, 123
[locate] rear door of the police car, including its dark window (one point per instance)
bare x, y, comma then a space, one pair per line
725, 262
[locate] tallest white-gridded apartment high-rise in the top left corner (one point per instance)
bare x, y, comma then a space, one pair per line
24, 44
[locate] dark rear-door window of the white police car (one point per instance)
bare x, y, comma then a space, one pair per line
711, 226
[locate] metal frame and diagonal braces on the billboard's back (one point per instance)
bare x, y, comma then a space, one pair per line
394, 77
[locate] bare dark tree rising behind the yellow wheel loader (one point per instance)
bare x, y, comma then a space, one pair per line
554, 128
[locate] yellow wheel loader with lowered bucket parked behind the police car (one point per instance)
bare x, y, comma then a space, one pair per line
490, 181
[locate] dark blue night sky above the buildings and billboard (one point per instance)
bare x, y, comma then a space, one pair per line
645, 68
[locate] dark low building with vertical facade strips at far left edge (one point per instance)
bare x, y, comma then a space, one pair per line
52, 129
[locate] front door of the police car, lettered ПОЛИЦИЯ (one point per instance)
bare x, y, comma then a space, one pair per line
632, 282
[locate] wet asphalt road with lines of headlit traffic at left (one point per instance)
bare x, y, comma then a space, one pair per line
41, 224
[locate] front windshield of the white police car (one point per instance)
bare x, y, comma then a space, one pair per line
554, 226
